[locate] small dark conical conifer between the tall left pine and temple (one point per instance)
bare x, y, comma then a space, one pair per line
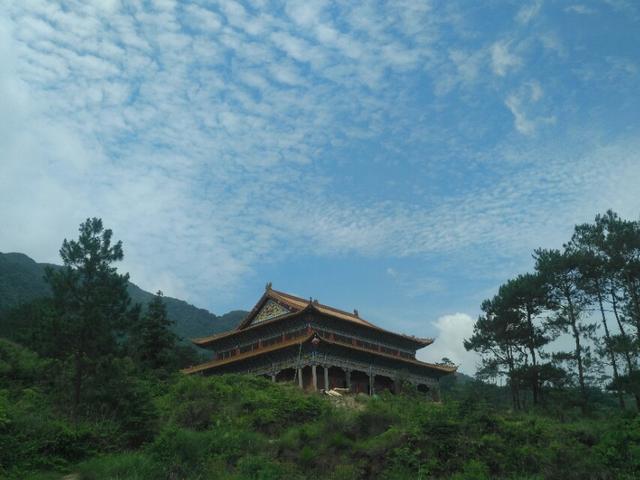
155, 342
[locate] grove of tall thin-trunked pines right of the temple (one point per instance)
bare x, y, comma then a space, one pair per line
571, 328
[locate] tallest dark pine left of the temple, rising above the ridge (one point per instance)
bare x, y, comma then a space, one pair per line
90, 298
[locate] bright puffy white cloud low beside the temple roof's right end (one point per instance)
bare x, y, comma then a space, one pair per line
451, 330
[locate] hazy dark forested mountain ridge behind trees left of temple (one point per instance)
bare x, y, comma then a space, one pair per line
21, 280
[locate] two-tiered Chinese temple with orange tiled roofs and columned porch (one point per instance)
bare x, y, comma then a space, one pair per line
287, 338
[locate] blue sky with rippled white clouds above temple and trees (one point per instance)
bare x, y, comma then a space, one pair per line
402, 158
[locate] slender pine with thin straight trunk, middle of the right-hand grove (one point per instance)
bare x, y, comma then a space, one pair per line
562, 276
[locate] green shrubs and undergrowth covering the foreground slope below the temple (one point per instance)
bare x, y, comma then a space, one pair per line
237, 427
